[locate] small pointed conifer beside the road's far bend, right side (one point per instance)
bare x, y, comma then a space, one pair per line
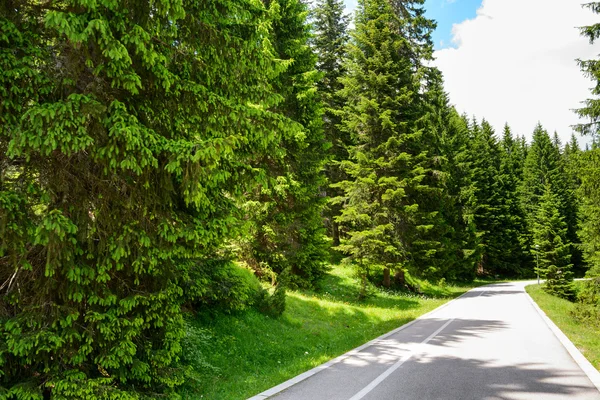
551, 247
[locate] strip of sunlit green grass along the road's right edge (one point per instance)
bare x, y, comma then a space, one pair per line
584, 337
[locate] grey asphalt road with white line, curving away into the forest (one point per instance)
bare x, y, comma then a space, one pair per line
489, 344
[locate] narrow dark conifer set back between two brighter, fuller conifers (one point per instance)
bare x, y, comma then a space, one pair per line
330, 40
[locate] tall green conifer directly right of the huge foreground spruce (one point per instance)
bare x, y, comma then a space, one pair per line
288, 226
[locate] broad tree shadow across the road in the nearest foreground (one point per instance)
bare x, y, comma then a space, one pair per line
457, 378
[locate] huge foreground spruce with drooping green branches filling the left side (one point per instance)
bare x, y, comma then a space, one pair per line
127, 131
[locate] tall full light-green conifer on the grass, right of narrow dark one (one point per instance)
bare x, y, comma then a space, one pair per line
385, 115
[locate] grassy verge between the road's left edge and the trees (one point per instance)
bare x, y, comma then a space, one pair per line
242, 355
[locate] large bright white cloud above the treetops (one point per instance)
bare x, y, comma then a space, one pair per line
515, 63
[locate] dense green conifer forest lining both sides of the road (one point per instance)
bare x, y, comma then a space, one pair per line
163, 158
